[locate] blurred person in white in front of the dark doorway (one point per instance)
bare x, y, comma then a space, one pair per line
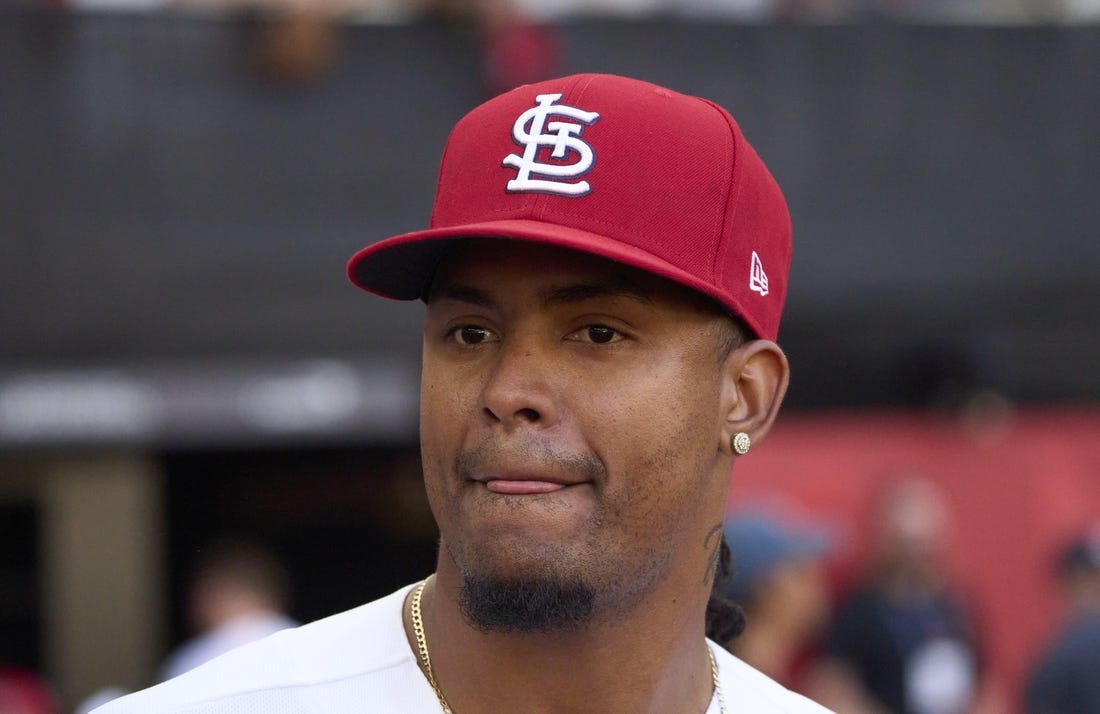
239, 594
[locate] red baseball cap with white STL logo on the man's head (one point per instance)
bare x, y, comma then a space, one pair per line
612, 167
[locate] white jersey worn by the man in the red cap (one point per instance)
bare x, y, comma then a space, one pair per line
360, 662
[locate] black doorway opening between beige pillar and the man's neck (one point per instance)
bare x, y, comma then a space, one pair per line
350, 525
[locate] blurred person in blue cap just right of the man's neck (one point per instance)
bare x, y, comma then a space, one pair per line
780, 580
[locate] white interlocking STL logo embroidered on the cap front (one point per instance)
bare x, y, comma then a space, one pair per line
563, 138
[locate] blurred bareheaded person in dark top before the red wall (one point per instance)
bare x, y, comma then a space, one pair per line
903, 642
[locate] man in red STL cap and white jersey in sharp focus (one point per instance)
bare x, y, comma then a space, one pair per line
604, 279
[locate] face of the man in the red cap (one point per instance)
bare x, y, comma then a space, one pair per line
570, 424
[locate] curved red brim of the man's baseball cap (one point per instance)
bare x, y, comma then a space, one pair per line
402, 268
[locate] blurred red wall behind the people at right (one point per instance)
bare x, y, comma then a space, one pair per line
1018, 486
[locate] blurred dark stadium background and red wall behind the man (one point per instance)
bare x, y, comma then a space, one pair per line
183, 361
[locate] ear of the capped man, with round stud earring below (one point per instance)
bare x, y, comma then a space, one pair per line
756, 377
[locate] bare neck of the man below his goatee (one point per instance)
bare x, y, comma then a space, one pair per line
655, 664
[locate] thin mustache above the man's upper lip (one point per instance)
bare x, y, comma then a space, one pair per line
534, 456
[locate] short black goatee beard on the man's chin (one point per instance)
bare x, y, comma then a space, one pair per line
525, 606
